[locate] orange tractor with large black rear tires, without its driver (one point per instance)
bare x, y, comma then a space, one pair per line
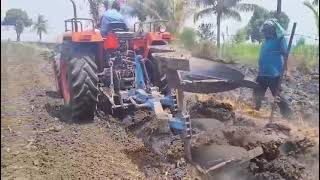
100, 71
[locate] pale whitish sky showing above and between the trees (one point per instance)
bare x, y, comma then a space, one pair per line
56, 11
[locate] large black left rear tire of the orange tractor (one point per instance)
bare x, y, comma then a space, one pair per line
83, 88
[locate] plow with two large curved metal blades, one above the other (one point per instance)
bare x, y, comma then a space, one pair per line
201, 76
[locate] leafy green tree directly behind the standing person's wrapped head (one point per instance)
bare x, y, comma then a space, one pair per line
259, 16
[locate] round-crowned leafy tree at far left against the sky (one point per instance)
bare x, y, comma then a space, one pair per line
17, 18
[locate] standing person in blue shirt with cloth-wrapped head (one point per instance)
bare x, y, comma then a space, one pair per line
272, 65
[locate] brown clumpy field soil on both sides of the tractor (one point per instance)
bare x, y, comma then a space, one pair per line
37, 142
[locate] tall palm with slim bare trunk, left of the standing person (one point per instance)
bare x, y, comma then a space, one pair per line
224, 9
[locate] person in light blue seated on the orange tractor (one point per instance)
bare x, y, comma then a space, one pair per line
112, 19
